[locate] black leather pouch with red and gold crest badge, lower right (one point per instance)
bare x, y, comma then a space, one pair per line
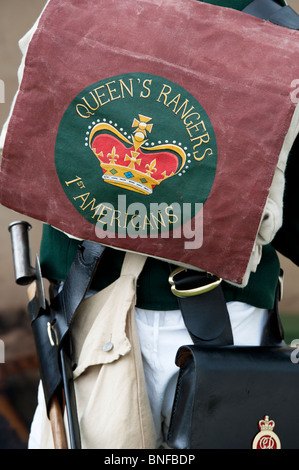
231, 397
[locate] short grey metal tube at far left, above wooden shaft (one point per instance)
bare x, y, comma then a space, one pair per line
24, 272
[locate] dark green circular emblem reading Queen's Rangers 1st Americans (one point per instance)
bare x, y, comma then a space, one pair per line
136, 151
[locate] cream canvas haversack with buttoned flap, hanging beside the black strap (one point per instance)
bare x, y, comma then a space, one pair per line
113, 406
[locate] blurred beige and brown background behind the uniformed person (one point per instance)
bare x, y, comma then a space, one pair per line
19, 373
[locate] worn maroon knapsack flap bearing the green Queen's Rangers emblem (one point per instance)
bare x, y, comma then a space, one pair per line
155, 127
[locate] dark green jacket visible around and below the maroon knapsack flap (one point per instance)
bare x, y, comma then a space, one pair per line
153, 290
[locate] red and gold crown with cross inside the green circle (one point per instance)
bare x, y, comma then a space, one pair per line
130, 164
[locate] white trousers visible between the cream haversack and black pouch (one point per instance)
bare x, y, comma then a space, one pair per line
161, 333
